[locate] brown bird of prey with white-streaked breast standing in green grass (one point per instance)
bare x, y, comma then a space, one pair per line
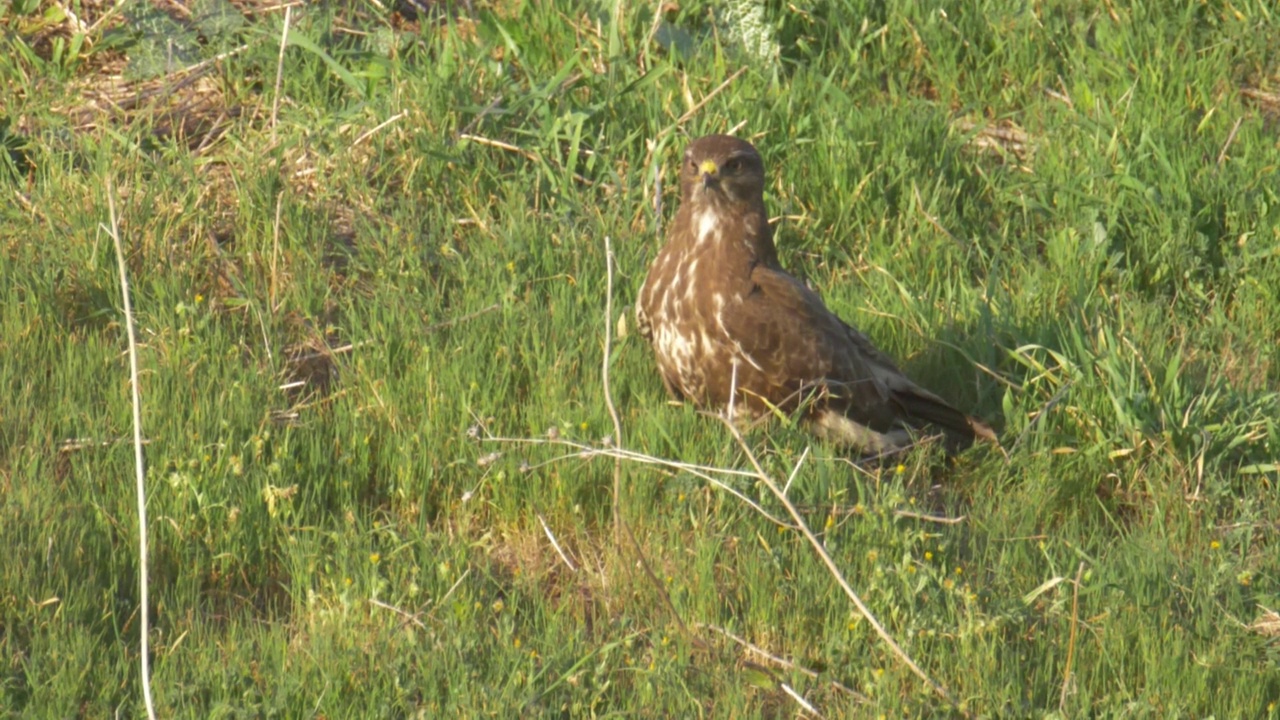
724, 317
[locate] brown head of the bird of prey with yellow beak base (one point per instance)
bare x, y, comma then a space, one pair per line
720, 170
